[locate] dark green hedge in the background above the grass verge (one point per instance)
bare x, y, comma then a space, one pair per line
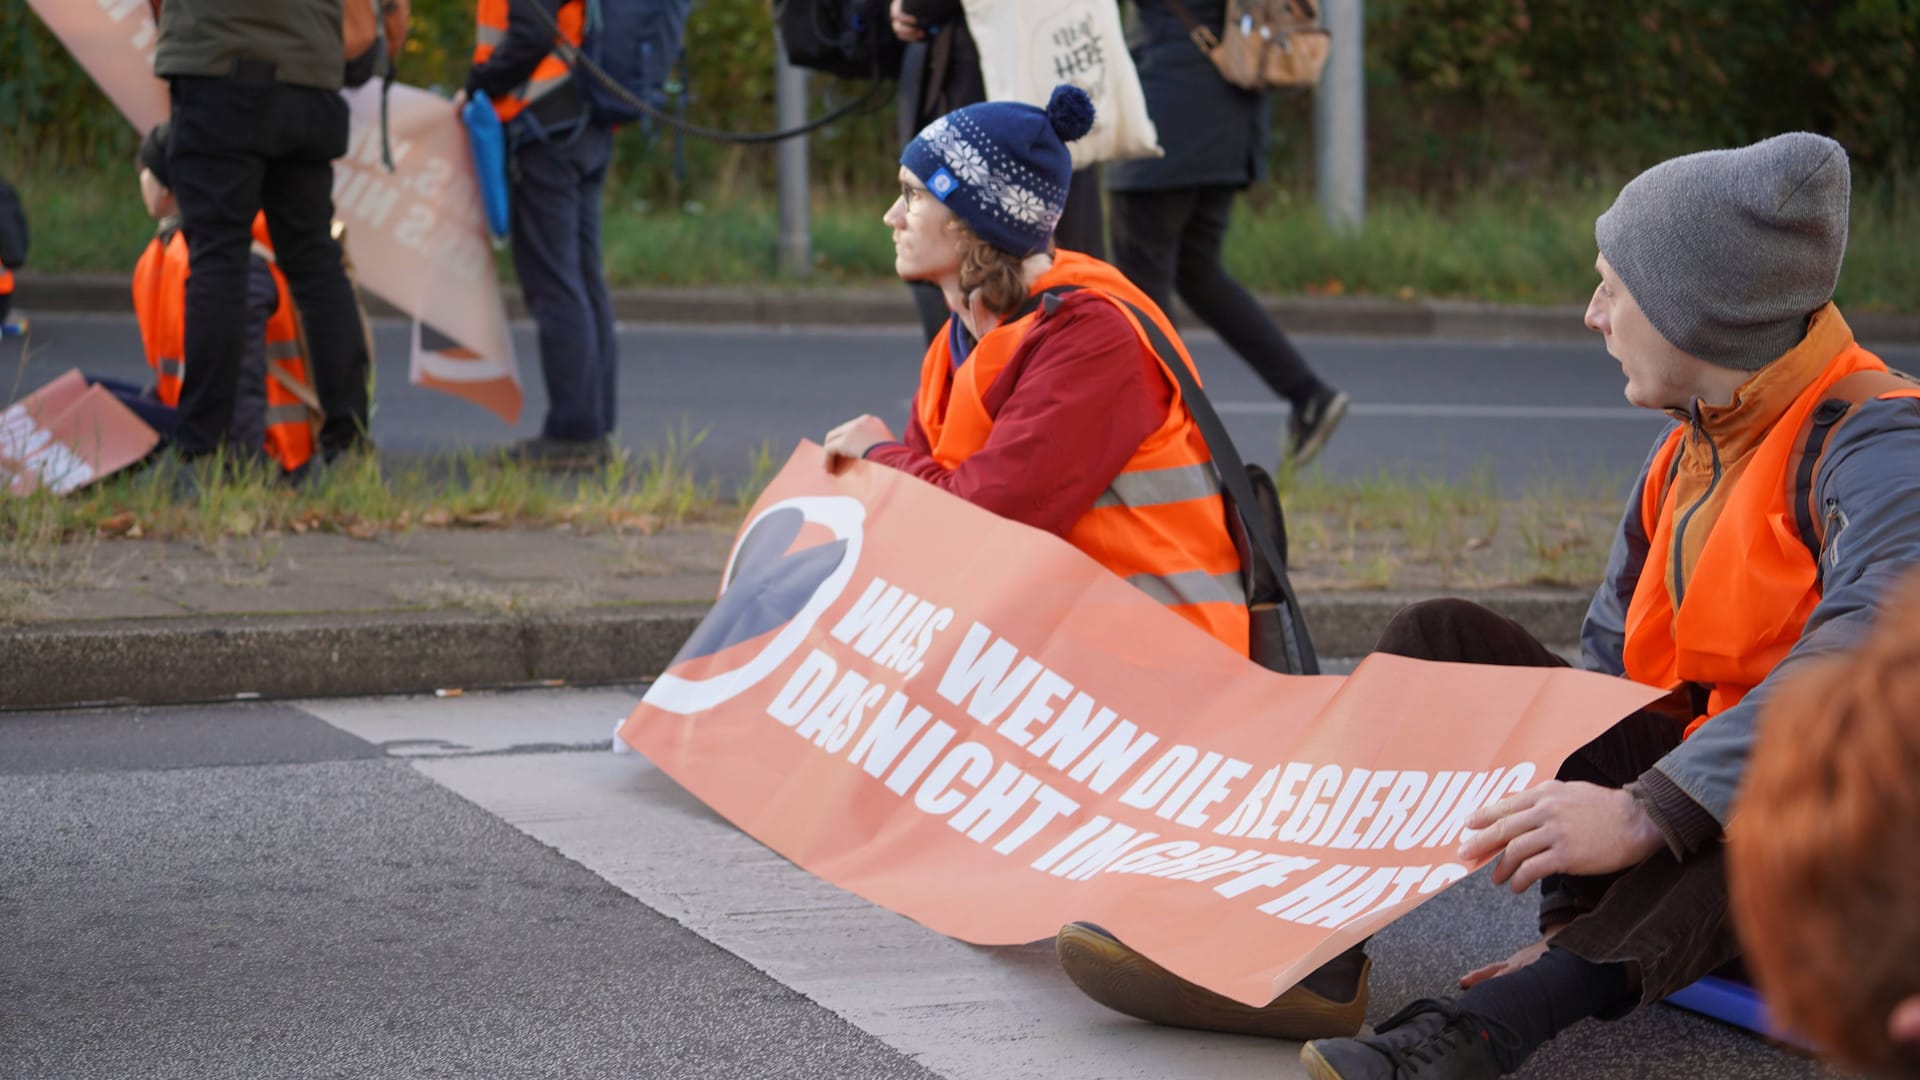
1464, 95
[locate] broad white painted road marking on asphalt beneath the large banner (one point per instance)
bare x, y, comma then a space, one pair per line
959, 1010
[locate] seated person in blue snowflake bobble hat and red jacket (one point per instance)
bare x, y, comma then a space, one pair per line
1049, 410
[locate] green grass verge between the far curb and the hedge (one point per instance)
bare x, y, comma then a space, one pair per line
1520, 245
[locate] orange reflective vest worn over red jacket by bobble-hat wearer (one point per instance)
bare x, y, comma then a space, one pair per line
1163, 524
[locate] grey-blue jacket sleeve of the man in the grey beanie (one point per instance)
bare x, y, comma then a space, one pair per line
1873, 539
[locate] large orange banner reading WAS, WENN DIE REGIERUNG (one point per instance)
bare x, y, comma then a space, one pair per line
976, 725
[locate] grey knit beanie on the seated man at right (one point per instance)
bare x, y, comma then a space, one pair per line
1731, 251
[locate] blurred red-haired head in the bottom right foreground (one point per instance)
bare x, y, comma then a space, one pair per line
1821, 868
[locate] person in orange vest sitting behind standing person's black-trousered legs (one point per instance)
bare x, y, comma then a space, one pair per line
276, 406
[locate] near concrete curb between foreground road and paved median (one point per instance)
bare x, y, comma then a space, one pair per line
156, 662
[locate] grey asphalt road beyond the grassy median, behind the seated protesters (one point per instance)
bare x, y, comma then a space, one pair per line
1535, 414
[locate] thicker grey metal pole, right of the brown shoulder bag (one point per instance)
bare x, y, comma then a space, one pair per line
1341, 118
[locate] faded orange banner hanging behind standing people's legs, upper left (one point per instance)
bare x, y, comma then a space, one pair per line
418, 235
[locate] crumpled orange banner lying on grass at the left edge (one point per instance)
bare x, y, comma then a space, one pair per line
68, 435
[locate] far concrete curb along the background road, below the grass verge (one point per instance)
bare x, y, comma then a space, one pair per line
869, 307
